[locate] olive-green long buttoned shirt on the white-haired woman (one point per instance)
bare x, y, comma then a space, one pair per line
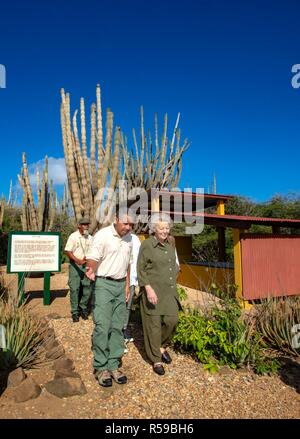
157, 267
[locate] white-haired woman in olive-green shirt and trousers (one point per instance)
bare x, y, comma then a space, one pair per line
157, 270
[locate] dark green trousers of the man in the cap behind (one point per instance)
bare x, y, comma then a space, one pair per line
78, 284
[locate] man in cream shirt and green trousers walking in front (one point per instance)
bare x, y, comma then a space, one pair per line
108, 263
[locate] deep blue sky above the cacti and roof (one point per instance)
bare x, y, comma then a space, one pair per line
225, 66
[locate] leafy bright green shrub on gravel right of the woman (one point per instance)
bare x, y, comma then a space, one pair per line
221, 336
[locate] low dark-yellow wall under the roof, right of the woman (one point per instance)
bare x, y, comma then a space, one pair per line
201, 277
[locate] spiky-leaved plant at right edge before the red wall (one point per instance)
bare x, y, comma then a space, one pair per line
277, 319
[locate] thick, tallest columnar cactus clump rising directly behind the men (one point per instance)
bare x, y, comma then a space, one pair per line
84, 178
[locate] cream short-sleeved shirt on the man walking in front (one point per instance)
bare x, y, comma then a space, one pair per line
114, 253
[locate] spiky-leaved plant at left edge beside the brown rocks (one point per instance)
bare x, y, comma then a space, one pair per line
24, 335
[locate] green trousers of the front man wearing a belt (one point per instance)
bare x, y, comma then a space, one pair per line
108, 314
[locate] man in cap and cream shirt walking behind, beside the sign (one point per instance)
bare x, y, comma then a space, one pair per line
76, 249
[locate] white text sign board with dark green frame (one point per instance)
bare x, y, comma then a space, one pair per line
30, 252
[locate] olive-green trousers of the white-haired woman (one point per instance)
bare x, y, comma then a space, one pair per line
157, 331
